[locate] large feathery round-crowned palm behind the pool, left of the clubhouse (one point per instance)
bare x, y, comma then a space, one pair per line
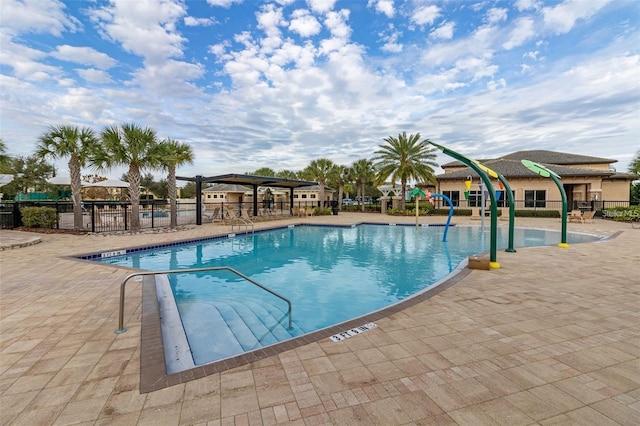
405, 158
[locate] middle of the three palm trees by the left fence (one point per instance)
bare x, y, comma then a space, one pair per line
134, 146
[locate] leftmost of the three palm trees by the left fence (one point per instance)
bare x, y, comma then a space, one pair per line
79, 145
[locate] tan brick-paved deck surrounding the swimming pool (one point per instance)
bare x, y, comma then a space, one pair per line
552, 337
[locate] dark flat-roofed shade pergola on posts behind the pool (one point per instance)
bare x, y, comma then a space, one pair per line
248, 180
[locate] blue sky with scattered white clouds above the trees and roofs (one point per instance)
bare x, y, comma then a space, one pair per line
279, 83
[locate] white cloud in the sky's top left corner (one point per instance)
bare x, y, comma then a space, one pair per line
46, 16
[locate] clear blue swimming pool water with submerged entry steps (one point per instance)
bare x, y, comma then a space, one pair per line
330, 274
